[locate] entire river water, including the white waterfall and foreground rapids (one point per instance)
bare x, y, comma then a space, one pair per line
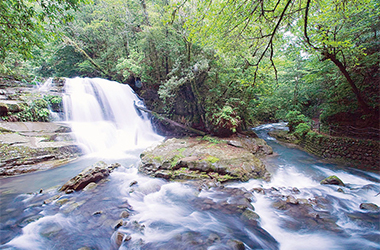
157, 214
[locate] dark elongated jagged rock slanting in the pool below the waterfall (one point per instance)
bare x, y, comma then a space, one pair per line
94, 173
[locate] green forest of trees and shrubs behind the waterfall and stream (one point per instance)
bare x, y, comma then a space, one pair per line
217, 66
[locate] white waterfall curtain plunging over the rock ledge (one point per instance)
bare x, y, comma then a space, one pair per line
104, 118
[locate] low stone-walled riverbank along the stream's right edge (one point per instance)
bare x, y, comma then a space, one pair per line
358, 153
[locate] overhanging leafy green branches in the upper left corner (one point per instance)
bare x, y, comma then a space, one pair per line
29, 24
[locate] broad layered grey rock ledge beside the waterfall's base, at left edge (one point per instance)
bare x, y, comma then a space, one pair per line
31, 146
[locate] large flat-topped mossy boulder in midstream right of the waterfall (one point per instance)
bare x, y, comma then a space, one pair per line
201, 158
